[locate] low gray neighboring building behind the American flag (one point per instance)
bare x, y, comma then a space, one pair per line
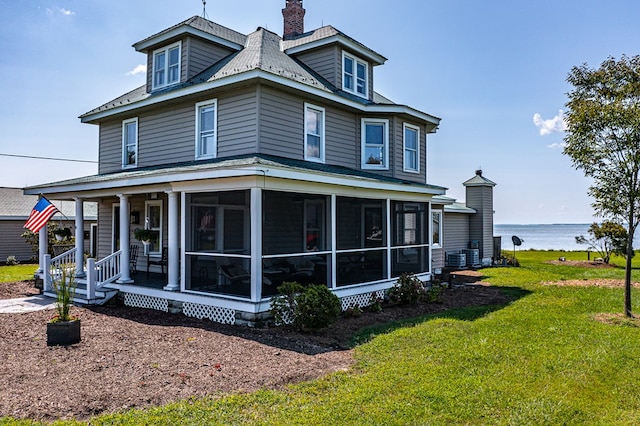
14, 211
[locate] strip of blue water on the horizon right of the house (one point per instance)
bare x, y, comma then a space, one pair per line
543, 237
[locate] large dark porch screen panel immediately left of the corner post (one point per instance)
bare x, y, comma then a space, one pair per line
218, 243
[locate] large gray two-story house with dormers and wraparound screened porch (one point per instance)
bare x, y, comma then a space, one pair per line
259, 159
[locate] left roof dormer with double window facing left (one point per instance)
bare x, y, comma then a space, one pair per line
178, 53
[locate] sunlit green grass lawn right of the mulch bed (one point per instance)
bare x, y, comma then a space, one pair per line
541, 360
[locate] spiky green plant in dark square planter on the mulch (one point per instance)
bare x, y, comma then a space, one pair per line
64, 328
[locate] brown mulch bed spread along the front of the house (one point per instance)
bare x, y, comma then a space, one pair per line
137, 358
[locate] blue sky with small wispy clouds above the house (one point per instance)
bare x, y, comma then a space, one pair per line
494, 71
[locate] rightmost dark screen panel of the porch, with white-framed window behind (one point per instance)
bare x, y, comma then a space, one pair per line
410, 238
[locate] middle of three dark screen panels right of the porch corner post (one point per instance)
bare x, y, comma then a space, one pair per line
361, 240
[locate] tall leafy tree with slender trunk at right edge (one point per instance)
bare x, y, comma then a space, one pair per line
603, 140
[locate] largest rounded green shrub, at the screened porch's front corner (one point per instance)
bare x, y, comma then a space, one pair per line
307, 308
